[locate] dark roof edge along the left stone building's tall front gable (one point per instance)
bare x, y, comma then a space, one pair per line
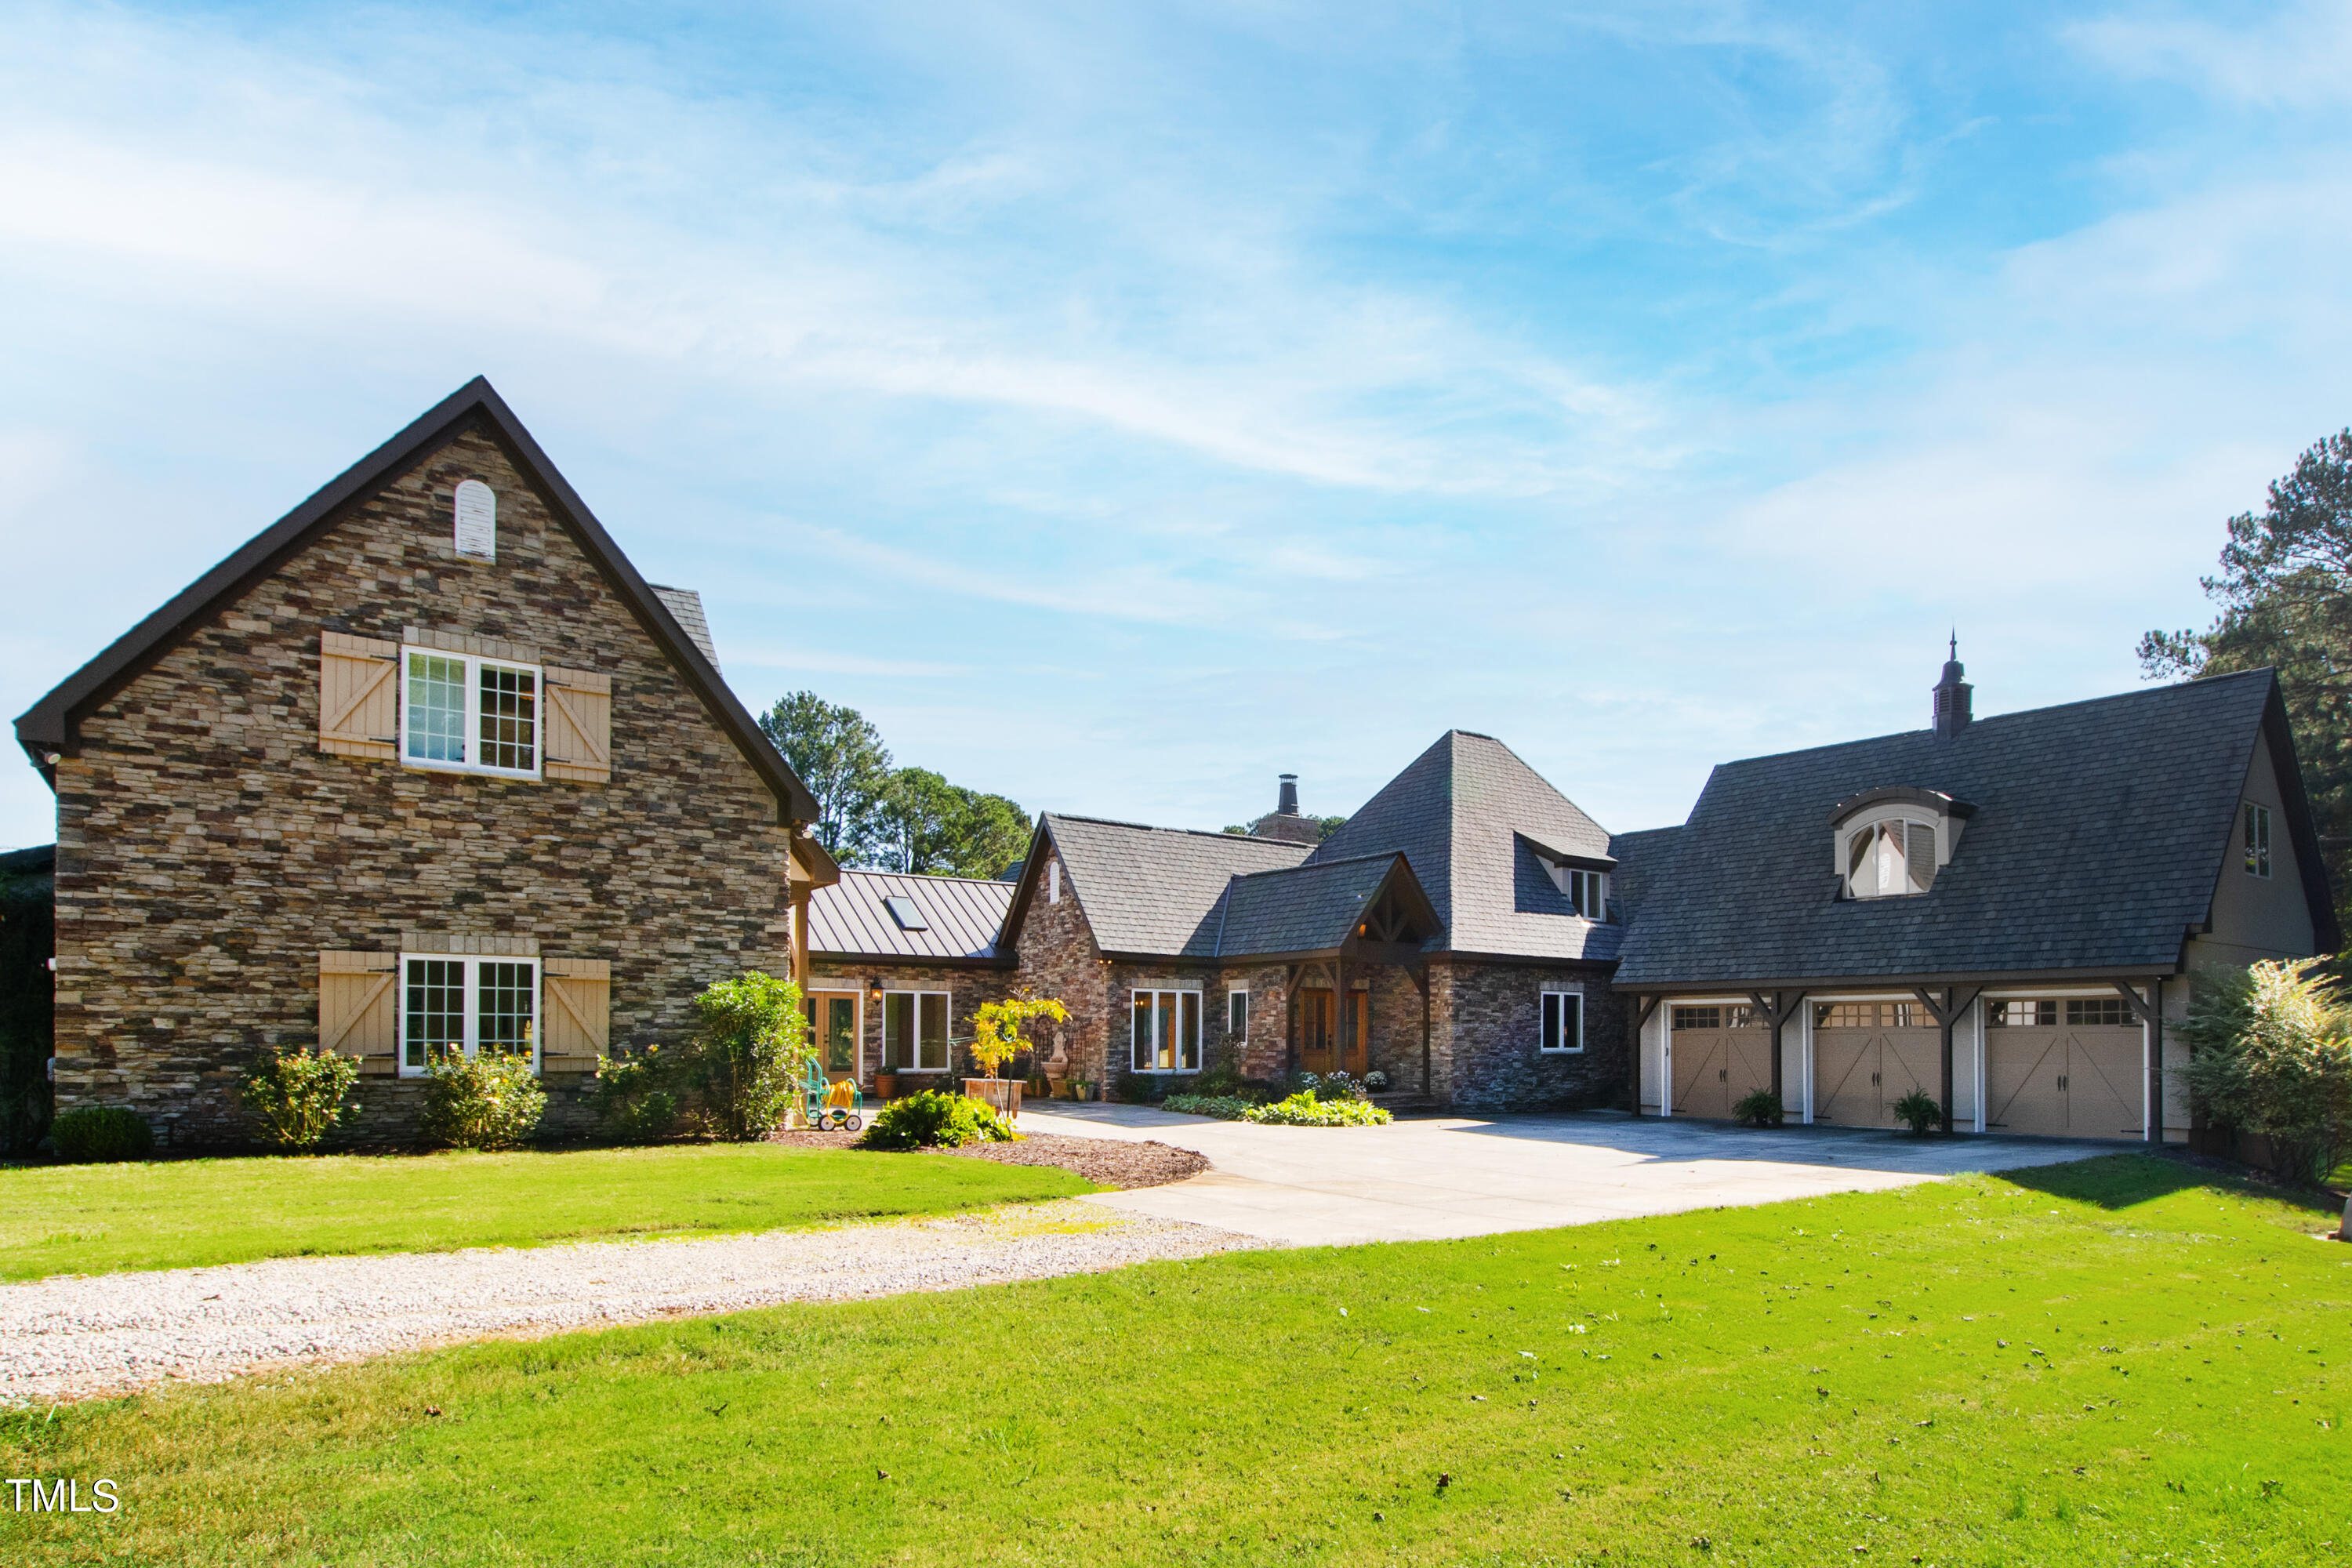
51, 723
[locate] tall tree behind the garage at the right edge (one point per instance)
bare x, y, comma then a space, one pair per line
2285, 598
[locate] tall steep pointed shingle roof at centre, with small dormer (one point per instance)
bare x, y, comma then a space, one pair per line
1469, 815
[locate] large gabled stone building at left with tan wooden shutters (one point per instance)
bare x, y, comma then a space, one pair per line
422, 768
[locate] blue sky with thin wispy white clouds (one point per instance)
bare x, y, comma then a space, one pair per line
1125, 406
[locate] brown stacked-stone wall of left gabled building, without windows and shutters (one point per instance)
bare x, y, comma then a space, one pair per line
208, 850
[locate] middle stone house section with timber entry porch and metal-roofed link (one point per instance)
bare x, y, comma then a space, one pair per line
1455, 937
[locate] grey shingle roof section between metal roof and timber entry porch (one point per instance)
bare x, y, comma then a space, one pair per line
1158, 890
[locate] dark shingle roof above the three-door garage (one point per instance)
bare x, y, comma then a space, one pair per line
2097, 845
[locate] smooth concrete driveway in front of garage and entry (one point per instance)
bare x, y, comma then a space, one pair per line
1469, 1177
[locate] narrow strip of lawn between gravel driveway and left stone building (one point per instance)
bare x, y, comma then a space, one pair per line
194, 1212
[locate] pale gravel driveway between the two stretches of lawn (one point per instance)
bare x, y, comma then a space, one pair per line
109, 1334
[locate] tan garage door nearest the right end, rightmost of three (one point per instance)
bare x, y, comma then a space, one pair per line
2062, 1068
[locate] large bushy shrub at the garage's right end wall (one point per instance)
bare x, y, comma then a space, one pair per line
2271, 1054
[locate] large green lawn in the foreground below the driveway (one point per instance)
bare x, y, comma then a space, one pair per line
2085, 1365
